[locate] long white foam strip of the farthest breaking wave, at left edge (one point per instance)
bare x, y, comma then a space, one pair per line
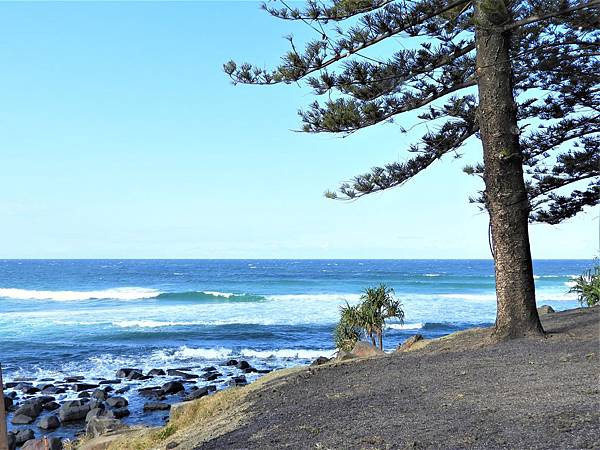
124, 293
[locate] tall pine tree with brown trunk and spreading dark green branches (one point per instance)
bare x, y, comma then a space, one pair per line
520, 76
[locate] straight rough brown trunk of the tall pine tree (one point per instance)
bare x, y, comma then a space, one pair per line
506, 198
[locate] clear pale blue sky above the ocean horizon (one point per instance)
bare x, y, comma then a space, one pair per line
121, 137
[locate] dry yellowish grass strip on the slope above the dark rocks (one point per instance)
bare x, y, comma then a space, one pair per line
197, 421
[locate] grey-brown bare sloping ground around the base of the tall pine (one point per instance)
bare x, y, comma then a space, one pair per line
457, 392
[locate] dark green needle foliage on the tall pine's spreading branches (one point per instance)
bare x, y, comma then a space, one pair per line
554, 58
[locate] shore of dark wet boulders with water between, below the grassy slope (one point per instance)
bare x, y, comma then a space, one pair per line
60, 410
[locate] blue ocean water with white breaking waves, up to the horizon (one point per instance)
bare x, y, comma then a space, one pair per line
59, 317
